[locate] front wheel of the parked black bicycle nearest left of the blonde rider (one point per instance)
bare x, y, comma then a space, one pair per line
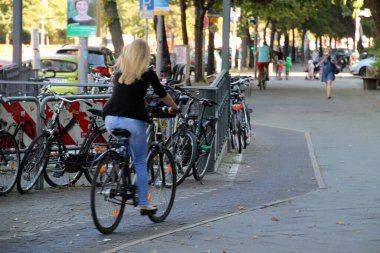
33, 163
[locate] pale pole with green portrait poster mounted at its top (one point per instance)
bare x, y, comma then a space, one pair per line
82, 23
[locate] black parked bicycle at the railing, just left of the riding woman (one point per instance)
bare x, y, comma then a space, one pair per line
61, 165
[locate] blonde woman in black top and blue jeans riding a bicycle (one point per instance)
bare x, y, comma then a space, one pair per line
126, 108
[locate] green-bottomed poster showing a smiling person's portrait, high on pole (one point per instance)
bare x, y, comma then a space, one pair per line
82, 18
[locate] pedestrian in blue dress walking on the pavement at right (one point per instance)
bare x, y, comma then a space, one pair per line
328, 76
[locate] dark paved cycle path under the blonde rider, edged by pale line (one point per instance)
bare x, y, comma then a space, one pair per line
275, 166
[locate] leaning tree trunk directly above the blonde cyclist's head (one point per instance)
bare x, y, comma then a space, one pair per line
114, 26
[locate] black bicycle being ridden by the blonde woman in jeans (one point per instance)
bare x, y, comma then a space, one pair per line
113, 185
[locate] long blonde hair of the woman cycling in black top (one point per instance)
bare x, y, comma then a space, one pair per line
133, 61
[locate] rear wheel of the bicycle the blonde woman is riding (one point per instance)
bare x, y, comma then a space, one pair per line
106, 200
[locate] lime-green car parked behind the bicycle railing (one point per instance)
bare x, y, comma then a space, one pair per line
65, 68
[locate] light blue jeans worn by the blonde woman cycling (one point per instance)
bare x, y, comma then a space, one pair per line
138, 146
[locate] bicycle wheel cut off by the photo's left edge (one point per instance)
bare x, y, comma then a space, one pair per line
9, 162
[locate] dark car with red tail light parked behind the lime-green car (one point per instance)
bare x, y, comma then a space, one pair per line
100, 59
